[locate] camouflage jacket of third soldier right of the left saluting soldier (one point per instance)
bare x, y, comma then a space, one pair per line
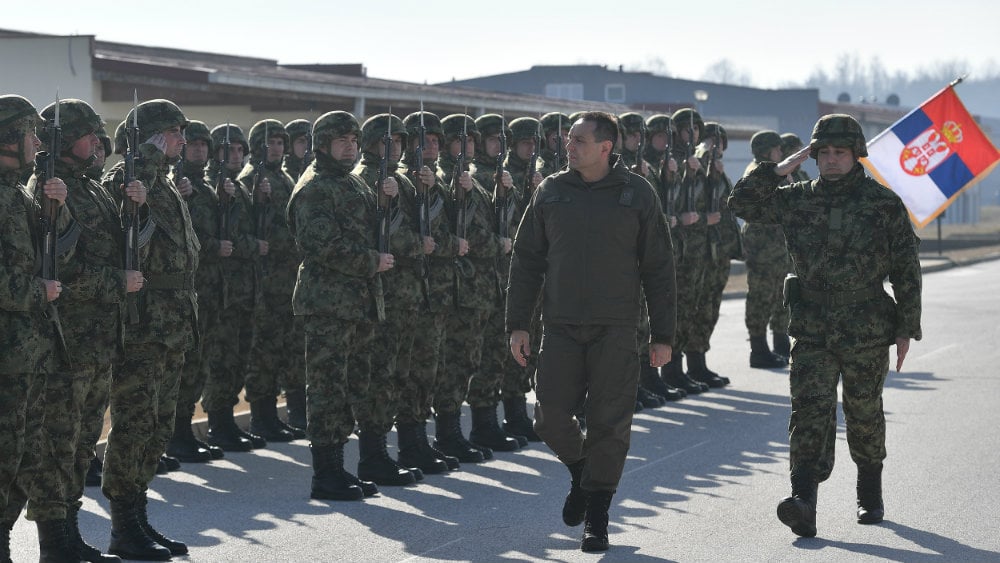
281, 265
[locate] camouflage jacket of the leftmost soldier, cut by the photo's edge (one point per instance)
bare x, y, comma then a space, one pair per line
28, 337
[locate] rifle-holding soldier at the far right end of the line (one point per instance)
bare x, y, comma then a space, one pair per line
724, 236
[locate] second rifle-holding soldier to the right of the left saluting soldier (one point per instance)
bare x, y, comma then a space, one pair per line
228, 343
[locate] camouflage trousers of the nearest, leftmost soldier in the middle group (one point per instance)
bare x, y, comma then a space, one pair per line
338, 364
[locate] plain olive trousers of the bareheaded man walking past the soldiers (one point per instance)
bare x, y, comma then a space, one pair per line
595, 370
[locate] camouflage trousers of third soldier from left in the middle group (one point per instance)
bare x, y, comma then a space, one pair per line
418, 371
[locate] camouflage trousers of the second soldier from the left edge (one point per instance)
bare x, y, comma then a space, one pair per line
75, 403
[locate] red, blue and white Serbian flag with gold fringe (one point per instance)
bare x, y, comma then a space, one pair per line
932, 155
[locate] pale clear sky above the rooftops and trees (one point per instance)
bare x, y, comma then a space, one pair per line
775, 43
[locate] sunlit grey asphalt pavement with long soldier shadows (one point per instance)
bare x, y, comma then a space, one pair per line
701, 483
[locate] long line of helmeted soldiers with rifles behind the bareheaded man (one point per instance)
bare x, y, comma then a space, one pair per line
360, 269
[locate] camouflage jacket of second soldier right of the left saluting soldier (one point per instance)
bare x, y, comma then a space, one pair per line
241, 269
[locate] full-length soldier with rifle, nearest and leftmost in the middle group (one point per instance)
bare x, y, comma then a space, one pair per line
338, 294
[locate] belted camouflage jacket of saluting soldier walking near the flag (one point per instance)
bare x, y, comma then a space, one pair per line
845, 237
